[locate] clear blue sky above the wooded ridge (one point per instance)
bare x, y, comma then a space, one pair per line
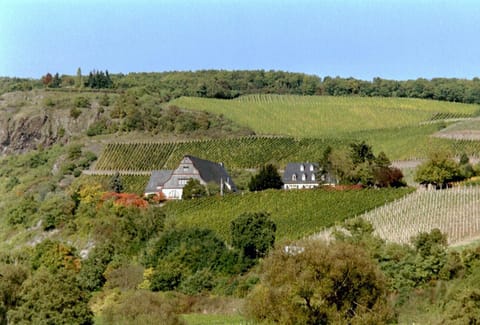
394, 39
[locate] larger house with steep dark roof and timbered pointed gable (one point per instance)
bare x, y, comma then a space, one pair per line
171, 182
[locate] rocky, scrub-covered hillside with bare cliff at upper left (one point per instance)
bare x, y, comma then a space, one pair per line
43, 117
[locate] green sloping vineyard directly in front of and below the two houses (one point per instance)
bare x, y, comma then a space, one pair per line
296, 213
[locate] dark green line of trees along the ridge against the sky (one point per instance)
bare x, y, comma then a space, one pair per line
231, 84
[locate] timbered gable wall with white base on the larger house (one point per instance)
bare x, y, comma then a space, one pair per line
173, 188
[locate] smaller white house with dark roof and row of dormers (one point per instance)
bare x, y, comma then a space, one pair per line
301, 175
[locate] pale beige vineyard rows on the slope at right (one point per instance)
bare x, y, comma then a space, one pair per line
454, 211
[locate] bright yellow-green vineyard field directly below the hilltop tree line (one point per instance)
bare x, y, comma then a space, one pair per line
320, 116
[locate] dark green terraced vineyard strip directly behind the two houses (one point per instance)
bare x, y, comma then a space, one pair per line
244, 152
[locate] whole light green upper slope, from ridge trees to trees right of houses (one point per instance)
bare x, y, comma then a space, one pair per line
401, 127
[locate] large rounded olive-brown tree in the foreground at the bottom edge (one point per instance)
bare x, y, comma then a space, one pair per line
320, 284
